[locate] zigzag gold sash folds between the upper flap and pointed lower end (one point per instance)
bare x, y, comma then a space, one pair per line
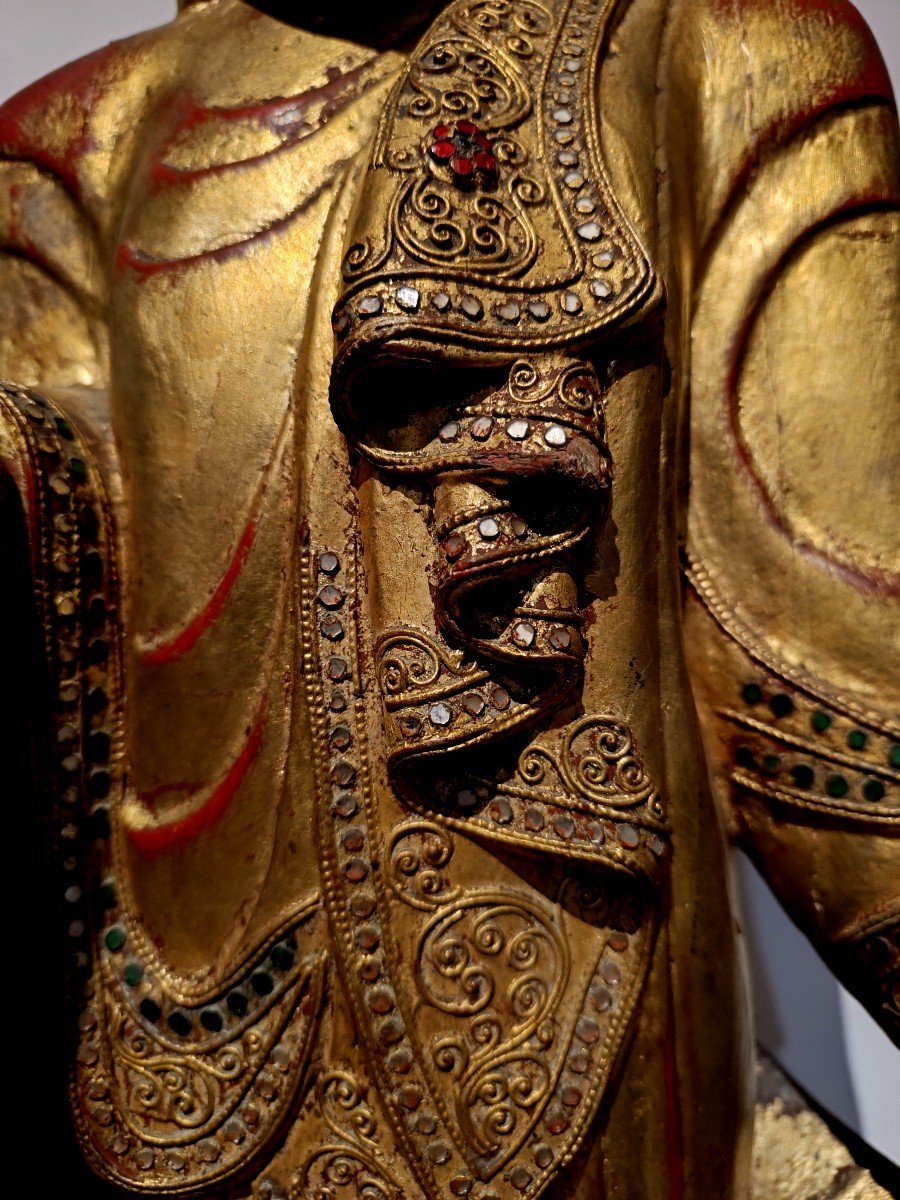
583, 791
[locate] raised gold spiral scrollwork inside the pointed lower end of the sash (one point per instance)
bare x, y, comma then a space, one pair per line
496, 964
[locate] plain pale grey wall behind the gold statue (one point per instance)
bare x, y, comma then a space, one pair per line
818, 1031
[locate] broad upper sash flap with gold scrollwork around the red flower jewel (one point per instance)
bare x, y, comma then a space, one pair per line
431, 255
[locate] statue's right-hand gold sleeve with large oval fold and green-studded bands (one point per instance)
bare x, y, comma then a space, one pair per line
783, 145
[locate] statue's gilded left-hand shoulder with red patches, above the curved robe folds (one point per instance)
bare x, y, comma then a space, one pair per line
83, 123
